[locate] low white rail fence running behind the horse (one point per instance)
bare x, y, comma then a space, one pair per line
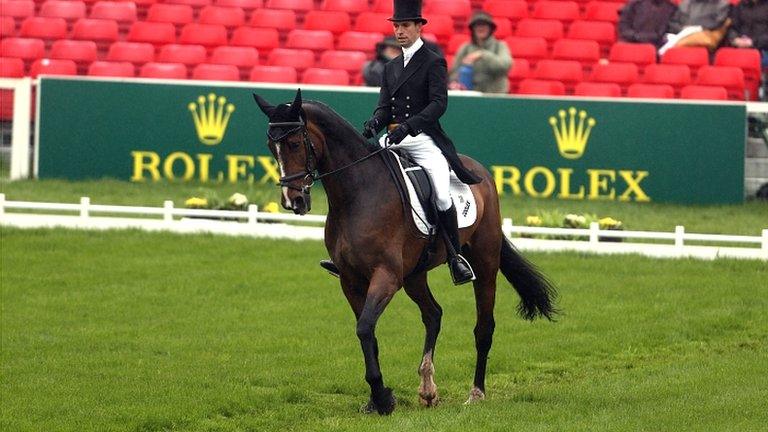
252, 222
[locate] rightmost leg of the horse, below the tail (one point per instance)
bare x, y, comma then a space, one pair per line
484, 258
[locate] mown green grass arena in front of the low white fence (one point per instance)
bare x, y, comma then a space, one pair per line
134, 331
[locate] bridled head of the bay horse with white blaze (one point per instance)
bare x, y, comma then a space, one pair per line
292, 146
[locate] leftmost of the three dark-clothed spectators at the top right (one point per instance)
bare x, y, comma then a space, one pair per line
645, 21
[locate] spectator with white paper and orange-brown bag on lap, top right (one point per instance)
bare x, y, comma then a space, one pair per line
698, 23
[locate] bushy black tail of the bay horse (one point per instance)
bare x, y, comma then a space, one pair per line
537, 293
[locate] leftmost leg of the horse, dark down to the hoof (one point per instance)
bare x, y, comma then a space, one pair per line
382, 288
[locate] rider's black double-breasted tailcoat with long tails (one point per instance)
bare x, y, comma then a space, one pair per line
418, 95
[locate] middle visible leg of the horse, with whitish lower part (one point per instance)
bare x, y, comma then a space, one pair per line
417, 289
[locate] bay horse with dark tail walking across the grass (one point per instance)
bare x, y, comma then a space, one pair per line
374, 243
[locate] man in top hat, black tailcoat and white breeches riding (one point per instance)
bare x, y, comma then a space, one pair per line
412, 99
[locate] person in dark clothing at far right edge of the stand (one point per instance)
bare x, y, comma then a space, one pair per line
749, 26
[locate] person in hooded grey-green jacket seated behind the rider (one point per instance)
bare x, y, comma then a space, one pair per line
482, 63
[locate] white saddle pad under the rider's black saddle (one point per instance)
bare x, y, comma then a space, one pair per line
463, 199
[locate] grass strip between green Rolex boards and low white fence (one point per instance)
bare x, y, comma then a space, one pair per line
745, 219
